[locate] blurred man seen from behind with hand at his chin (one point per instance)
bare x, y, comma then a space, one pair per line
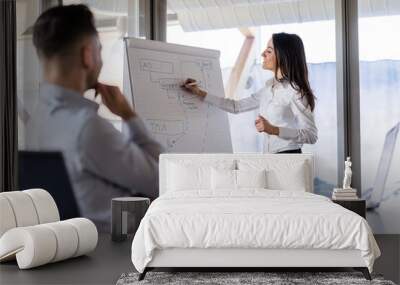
102, 162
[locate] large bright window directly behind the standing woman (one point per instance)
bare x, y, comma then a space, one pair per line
217, 27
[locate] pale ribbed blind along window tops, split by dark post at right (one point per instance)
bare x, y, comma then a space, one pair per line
197, 15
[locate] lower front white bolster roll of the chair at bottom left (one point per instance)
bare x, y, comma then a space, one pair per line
40, 244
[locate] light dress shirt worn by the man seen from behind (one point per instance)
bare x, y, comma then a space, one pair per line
102, 162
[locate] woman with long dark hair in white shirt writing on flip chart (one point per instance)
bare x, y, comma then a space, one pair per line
285, 104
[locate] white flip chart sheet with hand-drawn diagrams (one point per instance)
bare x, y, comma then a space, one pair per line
182, 122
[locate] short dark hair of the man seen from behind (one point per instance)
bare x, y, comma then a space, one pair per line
60, 28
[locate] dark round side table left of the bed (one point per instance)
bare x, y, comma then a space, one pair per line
127, 212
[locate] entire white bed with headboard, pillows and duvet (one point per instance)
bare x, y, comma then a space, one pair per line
247, 211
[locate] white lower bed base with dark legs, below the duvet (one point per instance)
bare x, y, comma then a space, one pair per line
233, 259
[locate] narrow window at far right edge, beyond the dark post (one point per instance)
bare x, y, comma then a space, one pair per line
379, 53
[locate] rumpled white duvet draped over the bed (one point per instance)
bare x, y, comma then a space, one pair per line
252, 218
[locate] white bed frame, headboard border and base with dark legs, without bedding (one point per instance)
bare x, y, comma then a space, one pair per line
249, 259
